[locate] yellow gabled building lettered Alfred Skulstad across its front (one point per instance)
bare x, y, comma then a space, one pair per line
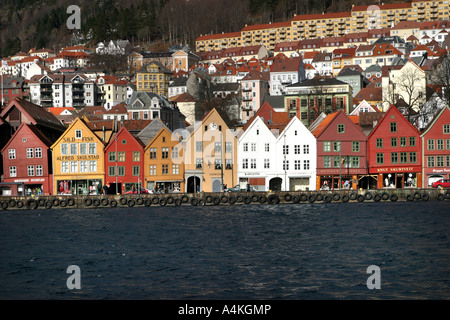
78, 161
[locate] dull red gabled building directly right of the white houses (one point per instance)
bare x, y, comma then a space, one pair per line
341, 153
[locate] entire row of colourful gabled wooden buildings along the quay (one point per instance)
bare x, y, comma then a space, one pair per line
273, 151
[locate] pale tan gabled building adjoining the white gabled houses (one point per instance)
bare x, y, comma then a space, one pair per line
210, 155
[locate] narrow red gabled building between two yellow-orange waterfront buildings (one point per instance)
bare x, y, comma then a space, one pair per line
124, 163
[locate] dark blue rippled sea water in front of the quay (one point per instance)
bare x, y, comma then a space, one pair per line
306, 251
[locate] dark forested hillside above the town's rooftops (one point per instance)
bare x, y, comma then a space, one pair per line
25, 24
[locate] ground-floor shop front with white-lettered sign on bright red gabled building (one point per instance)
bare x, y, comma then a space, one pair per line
401, 177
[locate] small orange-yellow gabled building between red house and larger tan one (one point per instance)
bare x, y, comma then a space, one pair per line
163, 163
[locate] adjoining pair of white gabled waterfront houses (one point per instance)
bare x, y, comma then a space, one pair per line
272, 161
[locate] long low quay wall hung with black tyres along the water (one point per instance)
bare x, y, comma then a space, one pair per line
231, 198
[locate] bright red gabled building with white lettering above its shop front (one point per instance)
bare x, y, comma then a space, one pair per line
395, 152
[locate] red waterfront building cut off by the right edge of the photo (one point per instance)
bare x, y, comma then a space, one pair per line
436, 148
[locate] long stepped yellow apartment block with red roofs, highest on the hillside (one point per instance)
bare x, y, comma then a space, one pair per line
300, 27
